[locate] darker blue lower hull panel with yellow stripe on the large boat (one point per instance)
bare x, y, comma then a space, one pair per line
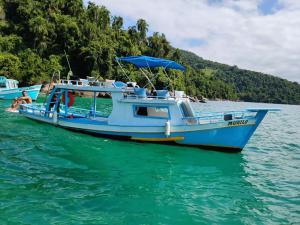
226, 139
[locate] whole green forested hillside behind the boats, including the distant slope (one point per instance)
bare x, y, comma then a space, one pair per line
34, 35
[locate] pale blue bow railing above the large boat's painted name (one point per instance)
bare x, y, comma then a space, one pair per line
215, 117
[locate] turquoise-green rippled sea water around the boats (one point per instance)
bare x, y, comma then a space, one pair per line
53, 176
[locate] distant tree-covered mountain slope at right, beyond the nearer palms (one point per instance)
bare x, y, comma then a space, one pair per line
248, 85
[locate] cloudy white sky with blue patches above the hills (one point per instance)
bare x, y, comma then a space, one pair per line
260, 35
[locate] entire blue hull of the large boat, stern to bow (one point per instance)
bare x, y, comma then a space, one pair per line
229, 136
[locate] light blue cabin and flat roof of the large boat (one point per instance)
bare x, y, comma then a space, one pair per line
133, 107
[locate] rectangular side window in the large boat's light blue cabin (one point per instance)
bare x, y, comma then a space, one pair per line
148, 111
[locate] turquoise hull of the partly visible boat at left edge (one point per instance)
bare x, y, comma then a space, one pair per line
32, 91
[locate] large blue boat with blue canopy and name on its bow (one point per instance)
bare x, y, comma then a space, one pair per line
148, 117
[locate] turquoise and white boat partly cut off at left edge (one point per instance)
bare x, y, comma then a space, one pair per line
9, 89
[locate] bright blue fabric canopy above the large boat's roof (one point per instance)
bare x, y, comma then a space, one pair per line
151, 62
